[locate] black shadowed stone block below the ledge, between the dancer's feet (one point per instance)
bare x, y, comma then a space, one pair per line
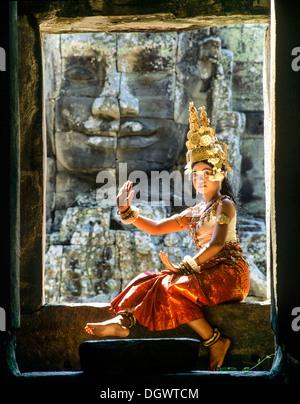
132, 355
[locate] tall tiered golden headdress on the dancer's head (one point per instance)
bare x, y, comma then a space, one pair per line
203, 144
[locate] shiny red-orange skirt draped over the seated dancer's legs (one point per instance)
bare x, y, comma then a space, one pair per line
161, 301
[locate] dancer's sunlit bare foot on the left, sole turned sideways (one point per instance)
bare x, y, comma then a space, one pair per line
115, 327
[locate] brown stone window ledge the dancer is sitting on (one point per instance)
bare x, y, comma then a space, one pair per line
49, 338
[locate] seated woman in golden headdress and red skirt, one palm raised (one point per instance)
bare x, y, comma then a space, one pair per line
217, 273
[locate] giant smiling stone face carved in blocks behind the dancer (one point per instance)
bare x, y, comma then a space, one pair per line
116, 103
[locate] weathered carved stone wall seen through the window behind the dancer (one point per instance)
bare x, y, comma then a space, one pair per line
147, 80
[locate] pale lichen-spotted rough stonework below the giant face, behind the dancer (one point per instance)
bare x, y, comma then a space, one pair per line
88, 261
